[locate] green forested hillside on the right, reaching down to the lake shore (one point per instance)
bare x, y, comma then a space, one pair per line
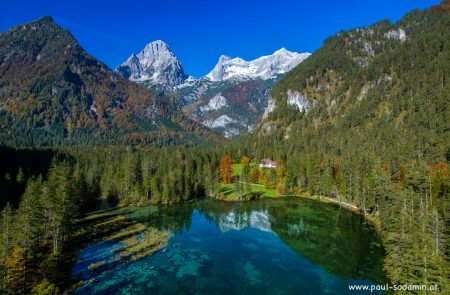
366, 120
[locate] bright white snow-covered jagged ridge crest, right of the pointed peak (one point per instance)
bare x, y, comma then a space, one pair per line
265, 67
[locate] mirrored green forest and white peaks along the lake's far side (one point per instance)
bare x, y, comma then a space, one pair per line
340, 241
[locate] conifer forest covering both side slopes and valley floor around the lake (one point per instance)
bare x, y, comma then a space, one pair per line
371, 130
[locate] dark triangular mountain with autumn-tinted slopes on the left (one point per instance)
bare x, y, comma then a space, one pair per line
52, 92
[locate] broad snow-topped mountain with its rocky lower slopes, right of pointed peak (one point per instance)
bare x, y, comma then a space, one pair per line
232, 97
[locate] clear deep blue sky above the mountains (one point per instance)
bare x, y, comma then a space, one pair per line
199, 31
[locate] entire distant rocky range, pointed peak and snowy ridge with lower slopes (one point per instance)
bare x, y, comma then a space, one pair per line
230, 99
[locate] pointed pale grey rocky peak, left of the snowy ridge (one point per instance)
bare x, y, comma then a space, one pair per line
154, 66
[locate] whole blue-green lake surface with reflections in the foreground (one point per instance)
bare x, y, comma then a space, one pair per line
284, 246
